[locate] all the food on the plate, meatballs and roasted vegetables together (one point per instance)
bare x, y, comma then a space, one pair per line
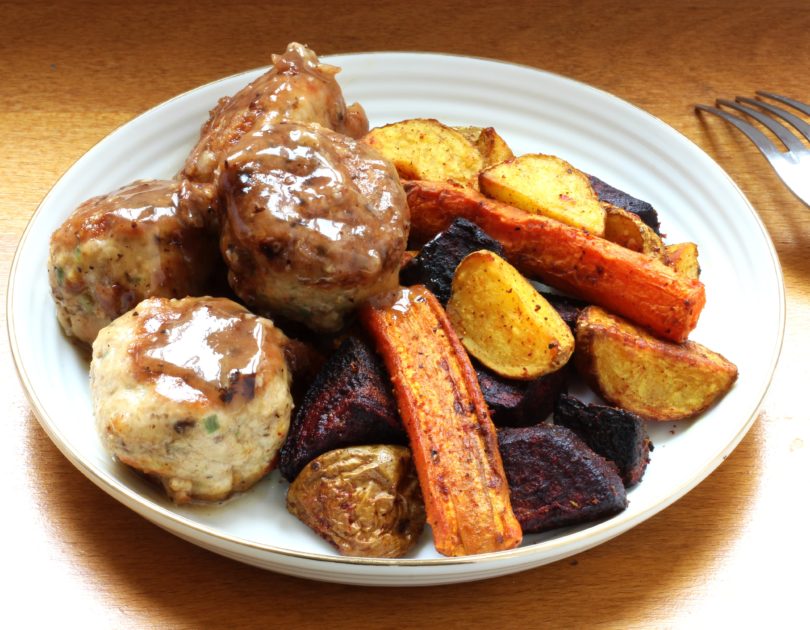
384, 285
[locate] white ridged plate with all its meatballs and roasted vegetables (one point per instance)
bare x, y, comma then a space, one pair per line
327, 410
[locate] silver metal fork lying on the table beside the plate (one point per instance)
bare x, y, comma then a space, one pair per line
793, 165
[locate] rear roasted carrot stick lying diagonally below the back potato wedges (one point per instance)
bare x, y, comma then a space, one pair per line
625, 282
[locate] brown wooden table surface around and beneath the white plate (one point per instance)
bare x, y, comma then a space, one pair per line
733, 551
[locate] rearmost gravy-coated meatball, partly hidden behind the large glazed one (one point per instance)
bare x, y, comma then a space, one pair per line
297, 88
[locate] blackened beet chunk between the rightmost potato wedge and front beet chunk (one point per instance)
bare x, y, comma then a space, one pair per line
617, 435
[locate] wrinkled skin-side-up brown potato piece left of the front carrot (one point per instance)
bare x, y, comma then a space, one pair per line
363, 499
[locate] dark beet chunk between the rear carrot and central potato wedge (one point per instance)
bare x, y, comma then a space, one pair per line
436, 262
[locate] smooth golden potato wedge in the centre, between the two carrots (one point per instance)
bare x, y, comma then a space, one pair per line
504, 322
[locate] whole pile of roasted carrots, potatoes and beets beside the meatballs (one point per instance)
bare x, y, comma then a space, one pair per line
468, 343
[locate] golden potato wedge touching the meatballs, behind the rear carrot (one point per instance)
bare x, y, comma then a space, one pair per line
424, 148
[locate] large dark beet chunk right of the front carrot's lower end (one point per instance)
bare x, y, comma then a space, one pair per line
555, 480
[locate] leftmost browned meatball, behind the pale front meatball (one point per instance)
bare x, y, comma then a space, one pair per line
117, 249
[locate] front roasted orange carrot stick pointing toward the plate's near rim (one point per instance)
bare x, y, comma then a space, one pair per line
453, 440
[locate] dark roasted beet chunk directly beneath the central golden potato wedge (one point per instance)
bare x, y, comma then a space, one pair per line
516, 403
